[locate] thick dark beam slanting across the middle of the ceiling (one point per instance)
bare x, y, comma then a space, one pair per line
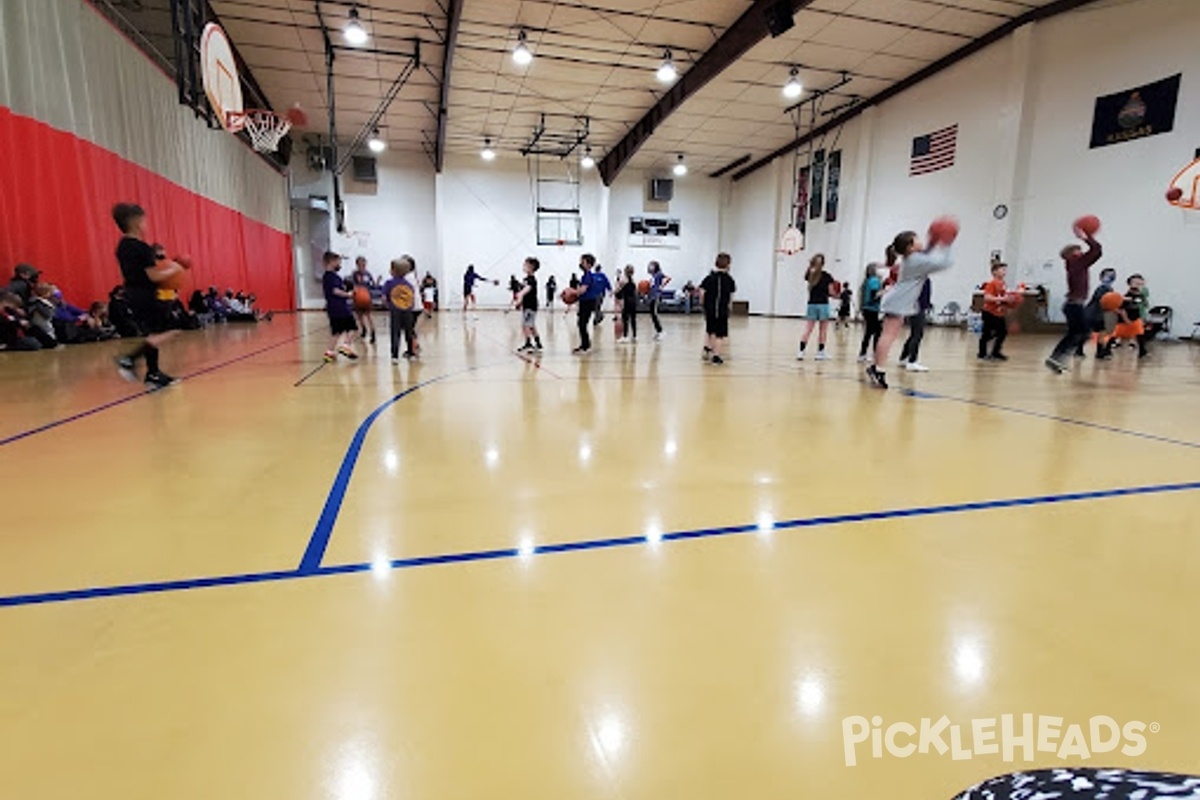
749, 29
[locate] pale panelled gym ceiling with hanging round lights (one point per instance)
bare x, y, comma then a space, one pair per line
595, 59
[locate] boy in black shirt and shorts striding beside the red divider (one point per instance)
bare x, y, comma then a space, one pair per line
143, 272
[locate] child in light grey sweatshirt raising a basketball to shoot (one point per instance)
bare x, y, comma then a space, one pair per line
919, 263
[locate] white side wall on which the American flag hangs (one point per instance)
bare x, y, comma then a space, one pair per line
1024, 109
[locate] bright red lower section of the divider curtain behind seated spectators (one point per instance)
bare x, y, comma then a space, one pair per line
57, 195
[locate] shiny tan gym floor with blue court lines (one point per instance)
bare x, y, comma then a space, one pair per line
627, 576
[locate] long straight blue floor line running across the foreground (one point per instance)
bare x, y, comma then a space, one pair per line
163, 587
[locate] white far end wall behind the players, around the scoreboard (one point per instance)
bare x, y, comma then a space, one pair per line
483, 214
